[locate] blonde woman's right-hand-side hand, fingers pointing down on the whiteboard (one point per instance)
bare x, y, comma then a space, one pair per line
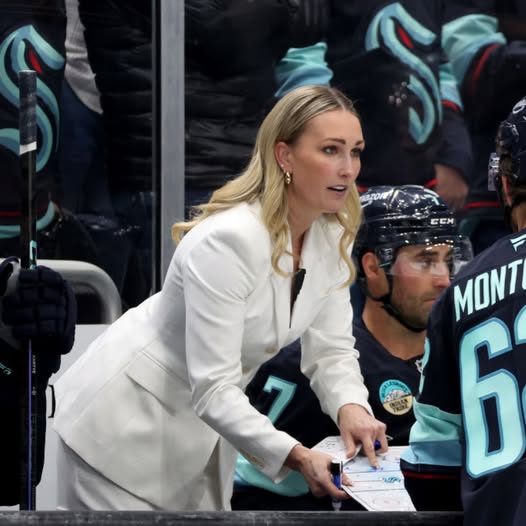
357, 426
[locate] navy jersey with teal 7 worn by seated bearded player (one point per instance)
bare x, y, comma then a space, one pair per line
283, 393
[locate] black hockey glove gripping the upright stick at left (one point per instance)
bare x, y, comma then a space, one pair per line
40, 306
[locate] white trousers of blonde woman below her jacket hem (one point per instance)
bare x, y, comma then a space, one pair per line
82, 488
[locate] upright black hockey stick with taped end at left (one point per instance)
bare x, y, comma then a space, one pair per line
28, 254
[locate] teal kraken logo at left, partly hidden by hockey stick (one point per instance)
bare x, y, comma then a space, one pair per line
25, 48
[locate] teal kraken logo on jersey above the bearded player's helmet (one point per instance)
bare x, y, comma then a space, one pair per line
395, 29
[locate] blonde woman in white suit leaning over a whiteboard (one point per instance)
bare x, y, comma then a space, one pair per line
152, 414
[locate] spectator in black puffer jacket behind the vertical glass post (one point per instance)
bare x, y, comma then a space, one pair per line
231, 48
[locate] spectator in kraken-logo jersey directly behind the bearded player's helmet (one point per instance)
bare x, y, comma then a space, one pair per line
390, 57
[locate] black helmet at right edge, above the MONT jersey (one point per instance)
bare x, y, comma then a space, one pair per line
510, 144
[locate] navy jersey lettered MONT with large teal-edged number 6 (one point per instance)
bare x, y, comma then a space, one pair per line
471, 408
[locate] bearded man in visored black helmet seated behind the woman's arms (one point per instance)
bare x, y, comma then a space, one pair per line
406, 251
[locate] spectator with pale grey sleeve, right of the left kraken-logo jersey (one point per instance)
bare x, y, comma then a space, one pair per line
86, 197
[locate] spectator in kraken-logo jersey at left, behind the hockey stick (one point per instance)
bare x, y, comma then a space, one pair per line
31, 37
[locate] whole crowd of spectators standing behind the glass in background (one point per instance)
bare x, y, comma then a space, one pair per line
430, 80
